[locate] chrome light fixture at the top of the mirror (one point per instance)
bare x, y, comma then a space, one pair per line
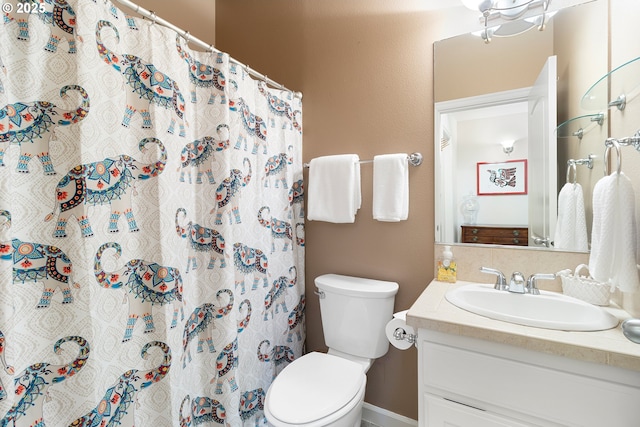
510, 10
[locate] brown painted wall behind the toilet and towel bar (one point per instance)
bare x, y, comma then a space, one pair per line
365, 69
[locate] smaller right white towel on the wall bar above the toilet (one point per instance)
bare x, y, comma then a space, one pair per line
391, 187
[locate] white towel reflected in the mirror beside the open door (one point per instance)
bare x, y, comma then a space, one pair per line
571, 227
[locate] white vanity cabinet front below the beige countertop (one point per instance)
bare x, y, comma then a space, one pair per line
472, 382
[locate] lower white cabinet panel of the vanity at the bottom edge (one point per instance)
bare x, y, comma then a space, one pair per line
440, 412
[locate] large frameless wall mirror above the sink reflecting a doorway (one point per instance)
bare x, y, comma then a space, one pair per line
482, 93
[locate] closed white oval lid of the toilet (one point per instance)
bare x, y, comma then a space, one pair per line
314, 386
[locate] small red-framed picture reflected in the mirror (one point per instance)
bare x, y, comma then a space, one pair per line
502, 178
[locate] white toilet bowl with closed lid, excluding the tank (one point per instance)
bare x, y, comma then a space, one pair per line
328, 391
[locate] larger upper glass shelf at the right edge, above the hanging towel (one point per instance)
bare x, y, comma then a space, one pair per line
626, 78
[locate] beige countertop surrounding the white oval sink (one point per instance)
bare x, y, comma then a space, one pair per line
432, 311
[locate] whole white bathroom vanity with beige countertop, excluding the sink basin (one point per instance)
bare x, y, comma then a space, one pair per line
479, 372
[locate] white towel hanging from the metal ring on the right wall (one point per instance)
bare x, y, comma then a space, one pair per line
613, 256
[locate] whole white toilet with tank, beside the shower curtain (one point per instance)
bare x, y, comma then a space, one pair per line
327, 389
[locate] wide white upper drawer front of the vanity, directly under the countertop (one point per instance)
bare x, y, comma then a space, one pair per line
518, 381
